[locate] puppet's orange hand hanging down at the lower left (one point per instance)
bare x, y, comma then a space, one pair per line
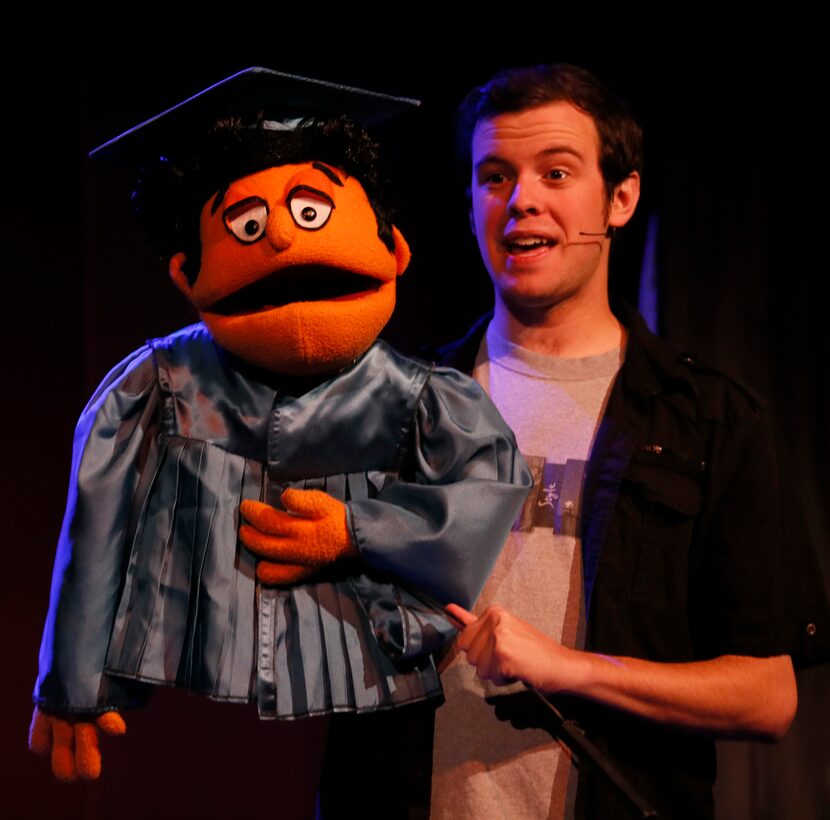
72, 742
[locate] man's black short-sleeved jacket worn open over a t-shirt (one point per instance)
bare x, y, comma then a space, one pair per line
692, 548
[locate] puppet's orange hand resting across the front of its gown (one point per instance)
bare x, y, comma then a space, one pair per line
310, 533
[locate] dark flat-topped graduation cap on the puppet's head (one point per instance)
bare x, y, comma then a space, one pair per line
283, 97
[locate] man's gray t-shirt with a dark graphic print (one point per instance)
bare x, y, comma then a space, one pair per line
484, 767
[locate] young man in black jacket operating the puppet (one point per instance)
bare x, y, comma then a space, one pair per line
649, 576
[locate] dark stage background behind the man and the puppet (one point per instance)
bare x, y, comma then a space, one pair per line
736, 175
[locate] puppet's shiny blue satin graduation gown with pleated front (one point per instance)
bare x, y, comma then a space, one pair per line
151, 586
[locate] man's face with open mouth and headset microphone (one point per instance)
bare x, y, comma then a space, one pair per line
537, 190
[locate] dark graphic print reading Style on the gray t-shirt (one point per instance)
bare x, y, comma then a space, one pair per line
554, 501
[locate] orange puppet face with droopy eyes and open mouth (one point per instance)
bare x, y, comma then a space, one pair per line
293, 277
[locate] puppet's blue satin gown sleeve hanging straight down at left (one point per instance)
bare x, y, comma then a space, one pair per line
112, 439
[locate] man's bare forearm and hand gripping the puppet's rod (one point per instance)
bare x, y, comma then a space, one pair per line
732, 696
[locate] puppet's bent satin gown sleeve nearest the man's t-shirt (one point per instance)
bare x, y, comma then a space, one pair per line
442, 531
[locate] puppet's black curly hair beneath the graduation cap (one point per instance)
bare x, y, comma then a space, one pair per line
172, 191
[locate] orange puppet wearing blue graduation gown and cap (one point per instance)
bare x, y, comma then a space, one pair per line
264, 506
